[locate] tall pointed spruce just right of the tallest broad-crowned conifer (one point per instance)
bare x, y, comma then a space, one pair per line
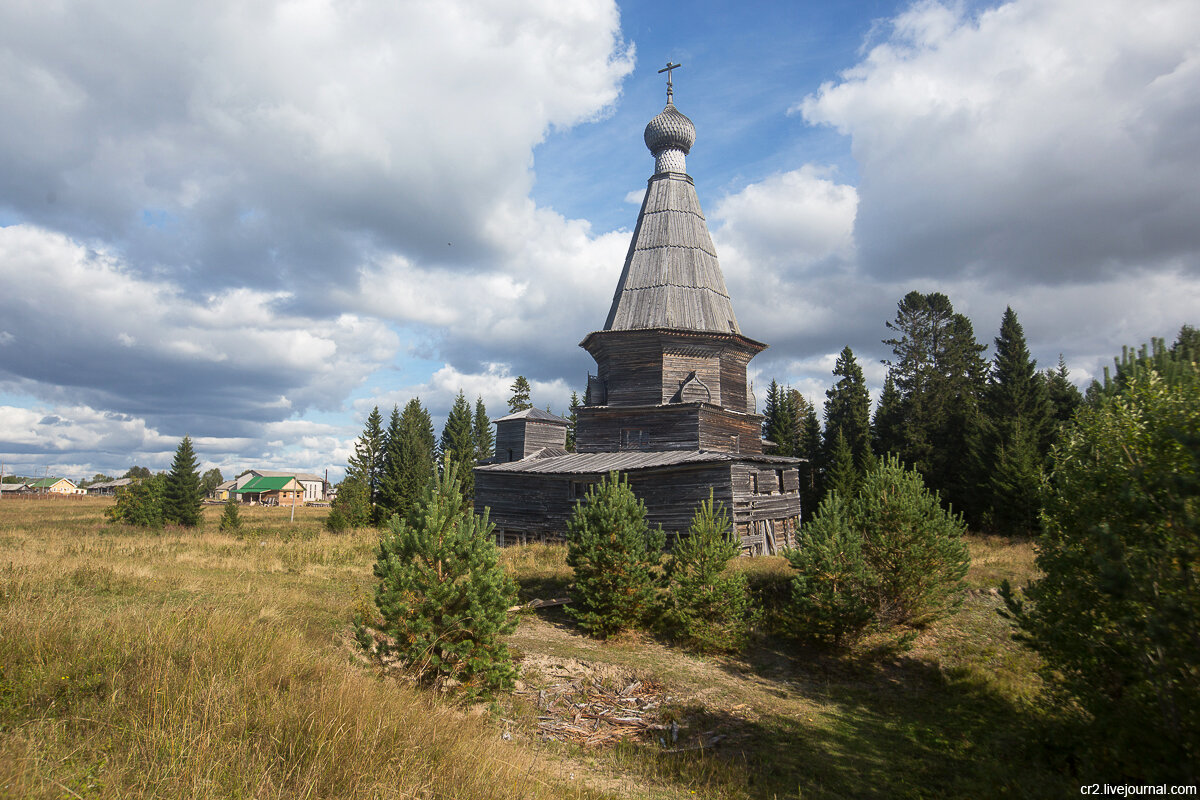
1017, 417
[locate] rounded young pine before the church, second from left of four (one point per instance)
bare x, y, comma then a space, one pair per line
615, 555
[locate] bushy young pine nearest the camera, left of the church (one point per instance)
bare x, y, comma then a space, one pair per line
442, 596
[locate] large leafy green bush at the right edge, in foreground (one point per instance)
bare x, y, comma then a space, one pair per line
1117, 612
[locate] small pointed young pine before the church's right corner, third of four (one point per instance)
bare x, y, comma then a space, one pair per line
707, 607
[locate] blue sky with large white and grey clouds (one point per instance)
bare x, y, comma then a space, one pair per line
253, 224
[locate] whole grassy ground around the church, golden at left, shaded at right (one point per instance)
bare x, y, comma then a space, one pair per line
195, 664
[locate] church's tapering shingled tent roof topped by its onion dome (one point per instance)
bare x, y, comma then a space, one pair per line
671, 279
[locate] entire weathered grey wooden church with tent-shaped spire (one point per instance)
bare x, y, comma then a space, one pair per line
670, 406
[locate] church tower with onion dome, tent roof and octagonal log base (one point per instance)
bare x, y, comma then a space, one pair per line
671, 346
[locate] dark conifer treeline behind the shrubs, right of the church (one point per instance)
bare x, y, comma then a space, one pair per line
980, 432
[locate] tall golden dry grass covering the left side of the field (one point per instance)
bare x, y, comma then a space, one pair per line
200, 665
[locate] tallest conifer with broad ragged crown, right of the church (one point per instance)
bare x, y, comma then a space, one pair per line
940, 374
